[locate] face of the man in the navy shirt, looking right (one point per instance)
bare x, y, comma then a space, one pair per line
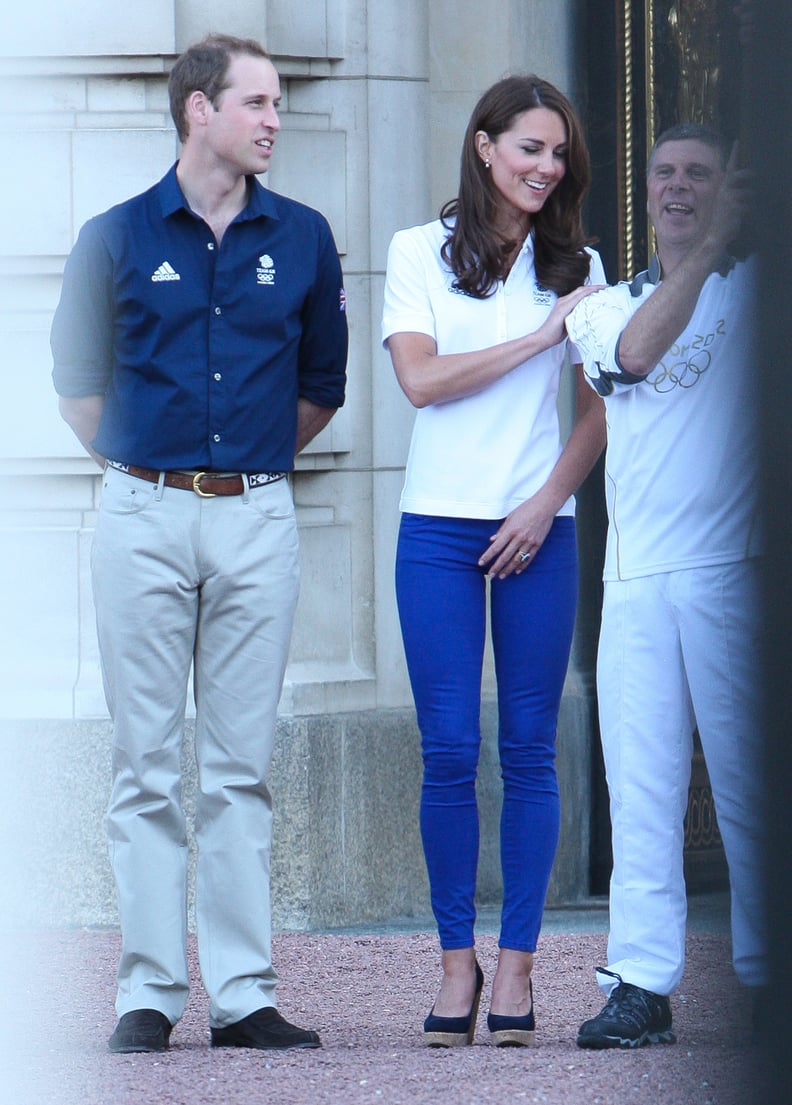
244, 121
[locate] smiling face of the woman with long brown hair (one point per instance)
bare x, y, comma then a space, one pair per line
526, 163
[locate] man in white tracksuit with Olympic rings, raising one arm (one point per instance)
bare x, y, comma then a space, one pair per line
672, 356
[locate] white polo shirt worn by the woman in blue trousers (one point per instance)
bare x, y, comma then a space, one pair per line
482, 456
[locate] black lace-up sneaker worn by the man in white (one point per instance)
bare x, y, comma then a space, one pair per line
631, 1018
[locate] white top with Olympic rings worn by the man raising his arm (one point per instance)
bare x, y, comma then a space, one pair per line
681, 467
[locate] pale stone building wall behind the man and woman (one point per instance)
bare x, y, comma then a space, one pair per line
376, 99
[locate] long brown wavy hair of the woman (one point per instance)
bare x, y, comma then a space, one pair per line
474, 250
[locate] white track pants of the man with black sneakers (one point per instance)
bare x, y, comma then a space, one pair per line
677, 650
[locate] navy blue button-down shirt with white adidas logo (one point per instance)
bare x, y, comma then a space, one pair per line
202, 351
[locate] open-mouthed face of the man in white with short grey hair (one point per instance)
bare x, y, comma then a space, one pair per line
683, 182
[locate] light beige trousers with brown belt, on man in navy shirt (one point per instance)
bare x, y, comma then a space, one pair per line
179, 578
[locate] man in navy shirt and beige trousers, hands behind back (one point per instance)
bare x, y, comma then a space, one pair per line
200, 343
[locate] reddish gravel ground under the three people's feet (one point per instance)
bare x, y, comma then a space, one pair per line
368, 994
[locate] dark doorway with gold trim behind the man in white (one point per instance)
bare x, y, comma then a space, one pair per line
649, 65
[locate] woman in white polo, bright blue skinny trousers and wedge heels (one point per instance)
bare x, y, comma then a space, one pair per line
474, 313
